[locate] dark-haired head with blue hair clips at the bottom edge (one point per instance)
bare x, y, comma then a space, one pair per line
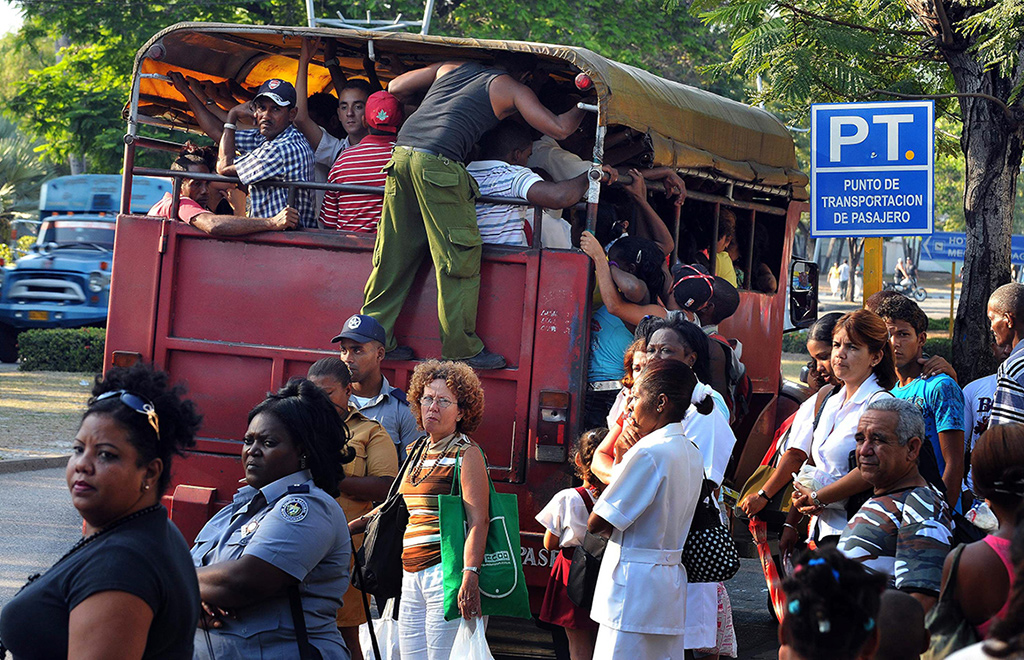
832, 607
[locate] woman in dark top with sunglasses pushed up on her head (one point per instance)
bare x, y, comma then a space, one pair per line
127, 590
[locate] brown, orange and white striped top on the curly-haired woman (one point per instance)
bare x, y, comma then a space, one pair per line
429, 477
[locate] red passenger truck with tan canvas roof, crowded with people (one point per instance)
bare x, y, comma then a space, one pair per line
237, 318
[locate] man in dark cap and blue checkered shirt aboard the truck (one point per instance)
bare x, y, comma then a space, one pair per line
277, 151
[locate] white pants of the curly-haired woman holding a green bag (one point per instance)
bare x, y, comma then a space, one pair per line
423, 633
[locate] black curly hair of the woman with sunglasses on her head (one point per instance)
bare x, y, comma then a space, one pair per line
179, 418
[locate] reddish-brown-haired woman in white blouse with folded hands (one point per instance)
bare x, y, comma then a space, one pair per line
863, 360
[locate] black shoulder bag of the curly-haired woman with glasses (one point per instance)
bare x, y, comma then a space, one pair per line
380, 556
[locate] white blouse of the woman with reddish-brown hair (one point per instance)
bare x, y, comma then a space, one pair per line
833, 443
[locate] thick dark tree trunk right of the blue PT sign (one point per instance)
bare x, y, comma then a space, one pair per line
992, 145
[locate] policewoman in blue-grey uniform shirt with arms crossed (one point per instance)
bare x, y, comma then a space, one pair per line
274, 564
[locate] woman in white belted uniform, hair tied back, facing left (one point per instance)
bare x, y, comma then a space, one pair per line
647, 512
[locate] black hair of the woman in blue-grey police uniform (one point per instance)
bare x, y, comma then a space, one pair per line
316, 428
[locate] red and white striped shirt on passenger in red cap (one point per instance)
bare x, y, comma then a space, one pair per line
360, 165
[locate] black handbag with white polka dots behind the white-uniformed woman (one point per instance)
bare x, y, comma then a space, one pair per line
710, 554
